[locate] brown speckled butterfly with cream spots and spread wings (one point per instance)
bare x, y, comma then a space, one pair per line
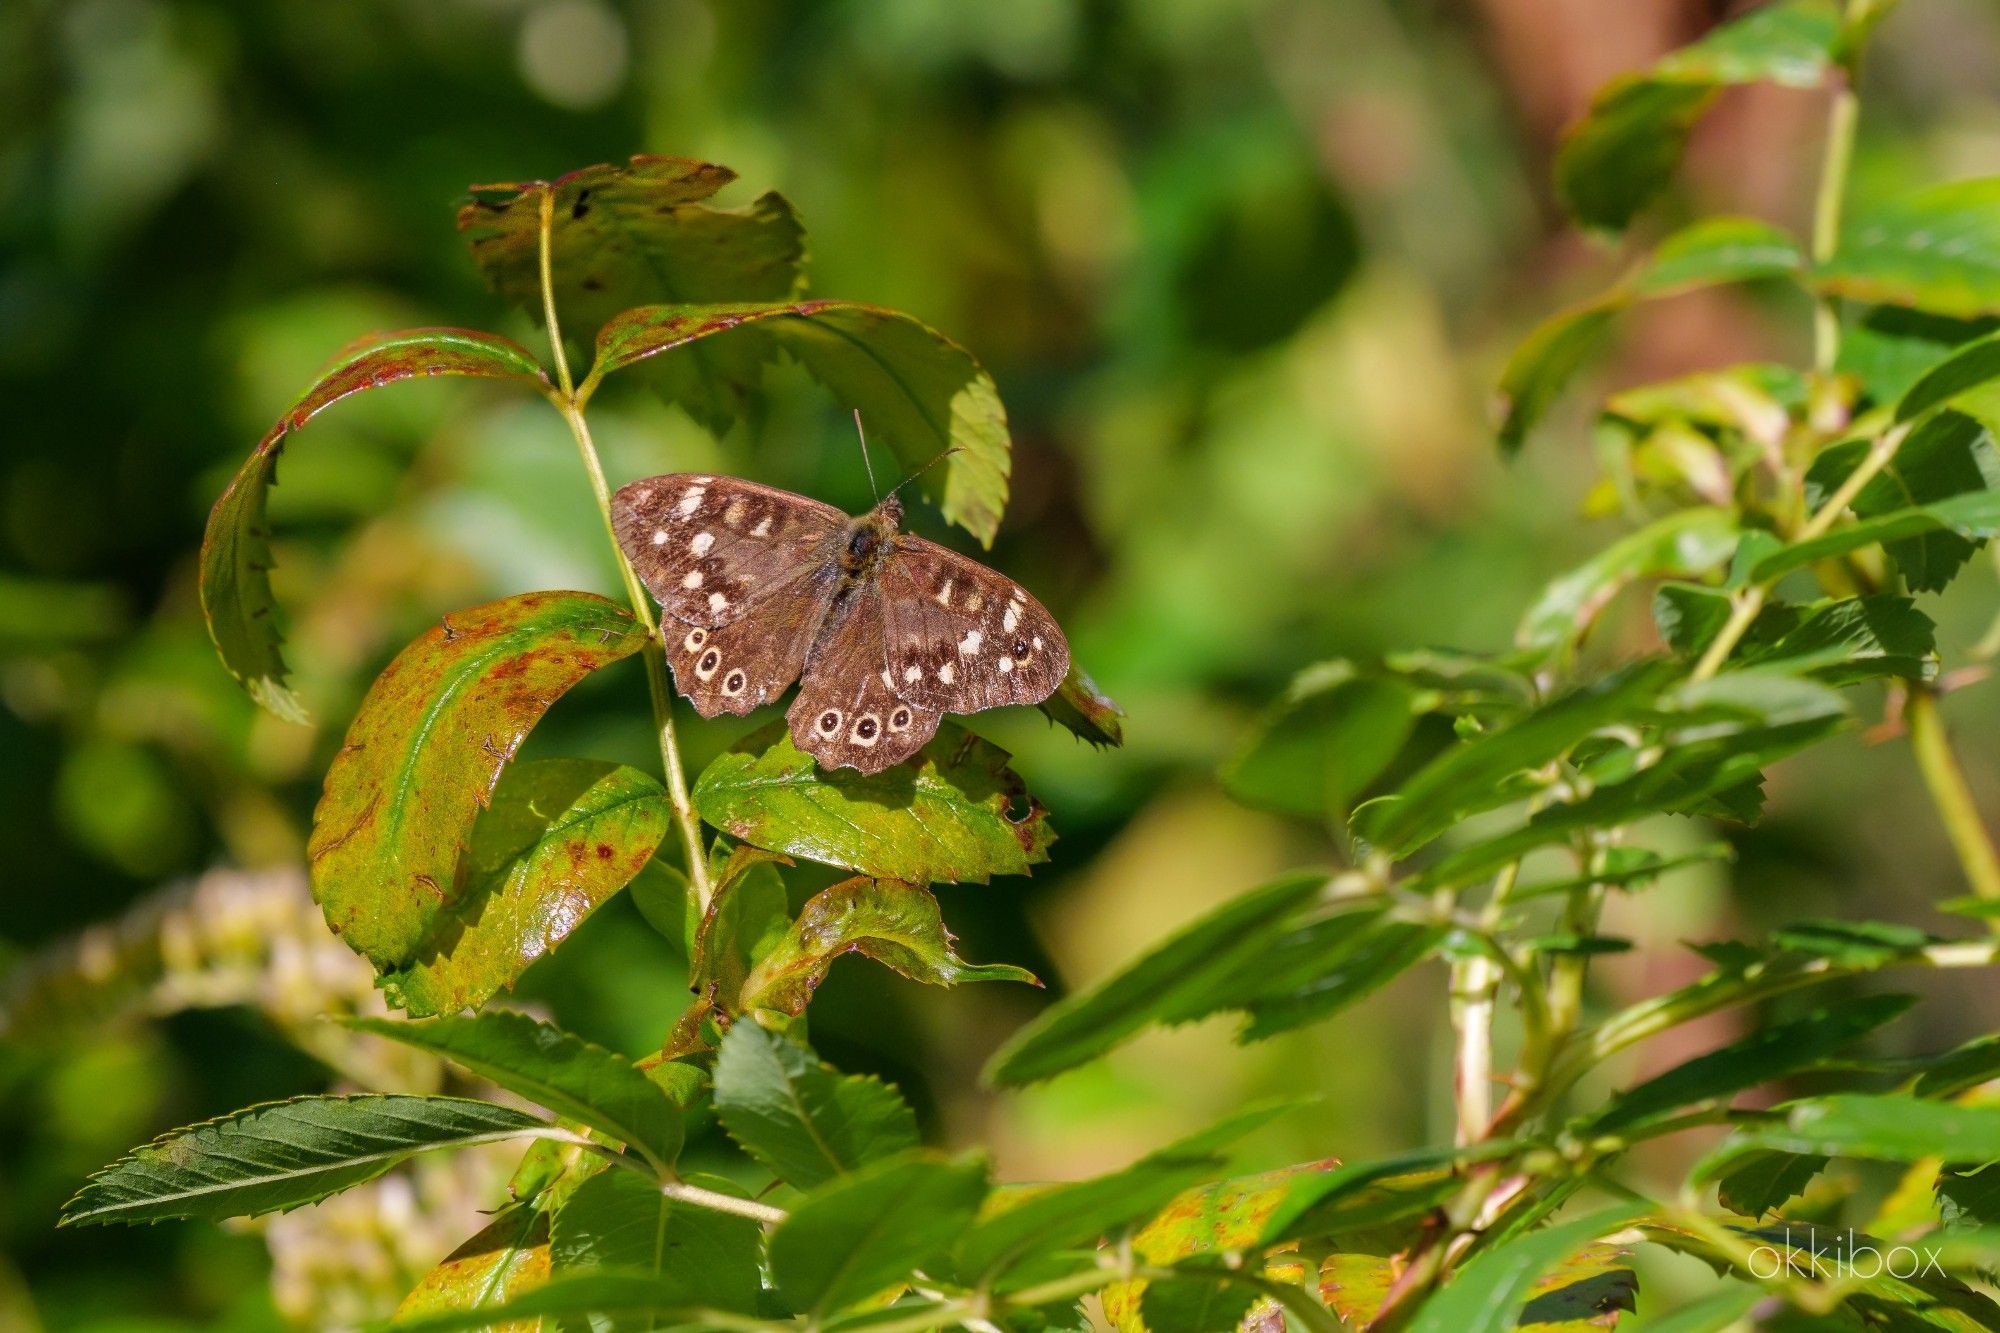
885, 631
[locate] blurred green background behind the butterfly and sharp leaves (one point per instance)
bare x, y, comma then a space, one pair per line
1243, 269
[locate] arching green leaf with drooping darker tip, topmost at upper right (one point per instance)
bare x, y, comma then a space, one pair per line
1631, 141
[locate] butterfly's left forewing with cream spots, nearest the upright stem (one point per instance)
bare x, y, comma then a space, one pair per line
713, 549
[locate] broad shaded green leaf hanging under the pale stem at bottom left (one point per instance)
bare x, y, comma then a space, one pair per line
621, 1222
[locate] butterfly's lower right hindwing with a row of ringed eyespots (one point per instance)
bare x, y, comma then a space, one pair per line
847, 714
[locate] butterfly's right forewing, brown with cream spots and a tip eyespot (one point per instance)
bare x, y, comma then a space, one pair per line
963, 637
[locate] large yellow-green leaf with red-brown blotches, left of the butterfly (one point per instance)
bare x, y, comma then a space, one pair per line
427, 752
